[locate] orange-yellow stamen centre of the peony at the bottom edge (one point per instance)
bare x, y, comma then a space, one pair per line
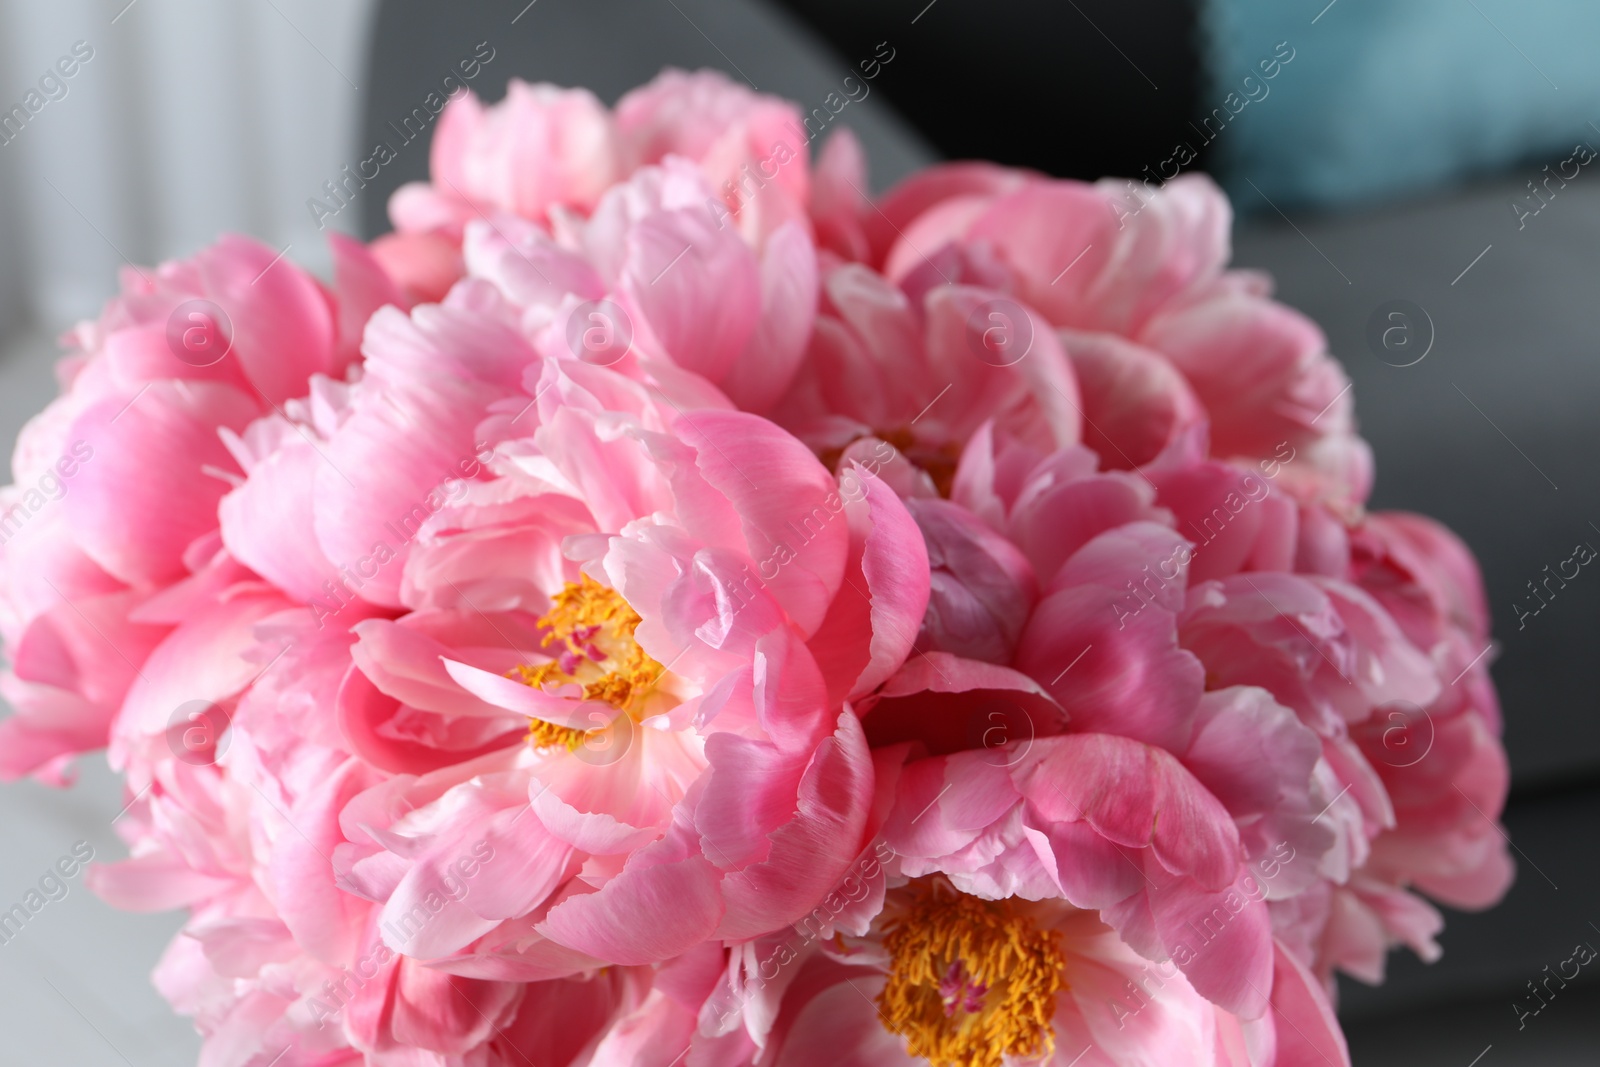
970, 981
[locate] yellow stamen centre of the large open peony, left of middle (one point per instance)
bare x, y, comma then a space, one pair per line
590, 629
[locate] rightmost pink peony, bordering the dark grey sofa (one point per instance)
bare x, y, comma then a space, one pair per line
1409, 725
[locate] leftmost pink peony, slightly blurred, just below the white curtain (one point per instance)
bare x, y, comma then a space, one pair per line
135, 452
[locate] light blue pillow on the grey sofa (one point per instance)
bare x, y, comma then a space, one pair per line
1391, 98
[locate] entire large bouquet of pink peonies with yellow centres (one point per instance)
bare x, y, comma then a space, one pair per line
663, 605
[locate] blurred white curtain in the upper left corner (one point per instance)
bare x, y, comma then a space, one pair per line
191, 118
